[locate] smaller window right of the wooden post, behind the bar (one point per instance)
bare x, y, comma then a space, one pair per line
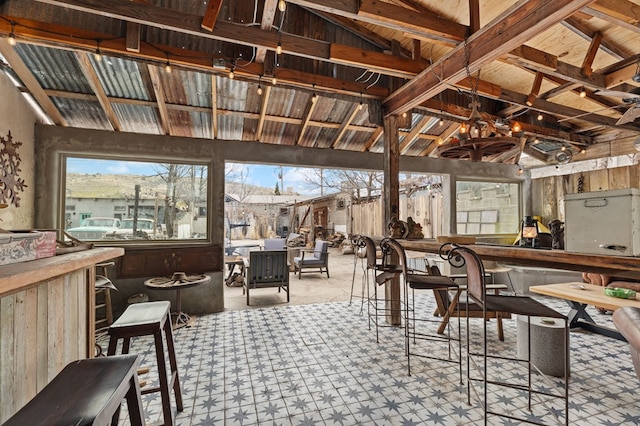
487, 208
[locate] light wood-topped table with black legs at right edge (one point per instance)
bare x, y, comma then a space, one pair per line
579, 296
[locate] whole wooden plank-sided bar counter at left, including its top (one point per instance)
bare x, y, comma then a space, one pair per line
46, 321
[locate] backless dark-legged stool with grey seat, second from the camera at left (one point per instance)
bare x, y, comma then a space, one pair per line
144, 319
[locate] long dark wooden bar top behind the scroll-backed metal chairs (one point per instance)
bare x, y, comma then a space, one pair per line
619, 266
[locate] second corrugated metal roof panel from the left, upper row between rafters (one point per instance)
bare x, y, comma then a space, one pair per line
120, 78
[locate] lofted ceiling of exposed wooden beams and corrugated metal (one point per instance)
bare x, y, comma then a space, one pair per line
165, 67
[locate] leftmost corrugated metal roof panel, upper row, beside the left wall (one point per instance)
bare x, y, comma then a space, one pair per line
54, 69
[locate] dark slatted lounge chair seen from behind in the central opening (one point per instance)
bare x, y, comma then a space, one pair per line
268, 268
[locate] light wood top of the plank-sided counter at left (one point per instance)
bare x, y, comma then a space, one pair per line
20, 276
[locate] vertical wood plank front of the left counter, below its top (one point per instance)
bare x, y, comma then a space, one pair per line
42, 329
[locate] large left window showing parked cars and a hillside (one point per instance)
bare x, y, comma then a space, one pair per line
115, 200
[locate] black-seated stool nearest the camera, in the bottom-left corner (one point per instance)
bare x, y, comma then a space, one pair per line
86, 392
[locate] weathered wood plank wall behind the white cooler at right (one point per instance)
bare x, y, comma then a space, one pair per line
548, 193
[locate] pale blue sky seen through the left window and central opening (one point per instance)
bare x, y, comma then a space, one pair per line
261, 175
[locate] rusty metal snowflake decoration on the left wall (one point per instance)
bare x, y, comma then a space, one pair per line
10, 183
